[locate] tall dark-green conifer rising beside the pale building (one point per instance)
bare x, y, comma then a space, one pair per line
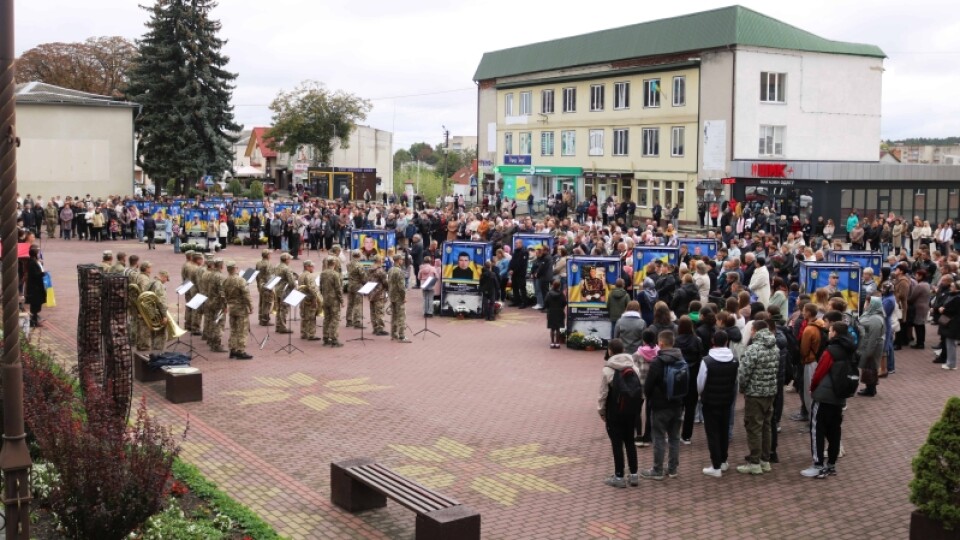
181, 82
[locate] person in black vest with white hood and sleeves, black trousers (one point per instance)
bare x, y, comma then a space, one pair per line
717, 386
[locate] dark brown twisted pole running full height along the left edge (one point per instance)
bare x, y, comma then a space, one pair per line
14, 457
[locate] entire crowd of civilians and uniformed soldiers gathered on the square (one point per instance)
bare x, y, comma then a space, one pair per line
737, 322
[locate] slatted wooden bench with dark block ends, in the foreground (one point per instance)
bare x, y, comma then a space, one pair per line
360, 484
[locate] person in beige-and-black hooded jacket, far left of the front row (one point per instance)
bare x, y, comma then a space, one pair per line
619, 424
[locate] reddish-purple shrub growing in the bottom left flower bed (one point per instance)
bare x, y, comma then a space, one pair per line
112, 475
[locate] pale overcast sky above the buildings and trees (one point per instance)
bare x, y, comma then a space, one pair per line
415, 60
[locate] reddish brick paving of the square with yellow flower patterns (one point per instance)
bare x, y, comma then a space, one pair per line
491, 416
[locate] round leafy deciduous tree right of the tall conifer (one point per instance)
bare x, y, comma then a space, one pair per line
312, 115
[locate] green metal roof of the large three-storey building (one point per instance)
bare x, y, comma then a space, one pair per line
734, 25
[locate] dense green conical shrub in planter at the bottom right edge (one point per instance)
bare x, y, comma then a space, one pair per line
935, 488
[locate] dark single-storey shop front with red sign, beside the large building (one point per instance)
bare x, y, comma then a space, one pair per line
832, 190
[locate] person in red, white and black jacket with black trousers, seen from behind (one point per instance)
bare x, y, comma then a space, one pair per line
827, 412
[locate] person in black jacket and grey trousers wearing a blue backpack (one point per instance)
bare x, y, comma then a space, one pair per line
665, 414
